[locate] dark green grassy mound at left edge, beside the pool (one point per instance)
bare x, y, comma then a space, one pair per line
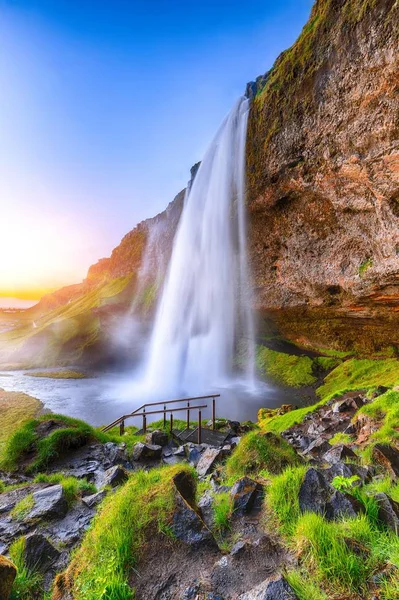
72, 433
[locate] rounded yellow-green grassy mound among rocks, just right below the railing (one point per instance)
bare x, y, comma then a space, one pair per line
257, 452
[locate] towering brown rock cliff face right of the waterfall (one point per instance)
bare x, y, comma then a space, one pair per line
323, 179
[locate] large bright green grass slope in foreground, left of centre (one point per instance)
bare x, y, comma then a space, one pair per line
101, 567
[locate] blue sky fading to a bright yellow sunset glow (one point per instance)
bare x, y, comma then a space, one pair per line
104, 107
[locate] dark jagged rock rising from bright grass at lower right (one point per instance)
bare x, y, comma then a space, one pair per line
318, 496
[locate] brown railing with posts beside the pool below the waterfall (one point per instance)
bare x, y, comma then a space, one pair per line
143, 413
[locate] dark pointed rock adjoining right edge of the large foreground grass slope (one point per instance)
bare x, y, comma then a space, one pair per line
187, 525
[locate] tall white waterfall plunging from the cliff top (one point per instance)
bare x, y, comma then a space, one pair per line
204, 311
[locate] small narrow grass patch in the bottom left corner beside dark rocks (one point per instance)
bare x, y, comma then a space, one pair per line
28, 583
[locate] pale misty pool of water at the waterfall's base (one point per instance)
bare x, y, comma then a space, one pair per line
101, 398
